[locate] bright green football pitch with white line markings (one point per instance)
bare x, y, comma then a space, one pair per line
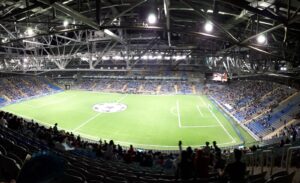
146, 121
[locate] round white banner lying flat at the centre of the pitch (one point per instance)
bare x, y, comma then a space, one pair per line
109, 107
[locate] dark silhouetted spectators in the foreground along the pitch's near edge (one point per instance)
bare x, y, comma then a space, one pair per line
189, 163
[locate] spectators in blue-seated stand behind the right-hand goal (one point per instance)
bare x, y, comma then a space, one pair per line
256, 103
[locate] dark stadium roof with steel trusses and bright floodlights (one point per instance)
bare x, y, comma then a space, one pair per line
88, 34
